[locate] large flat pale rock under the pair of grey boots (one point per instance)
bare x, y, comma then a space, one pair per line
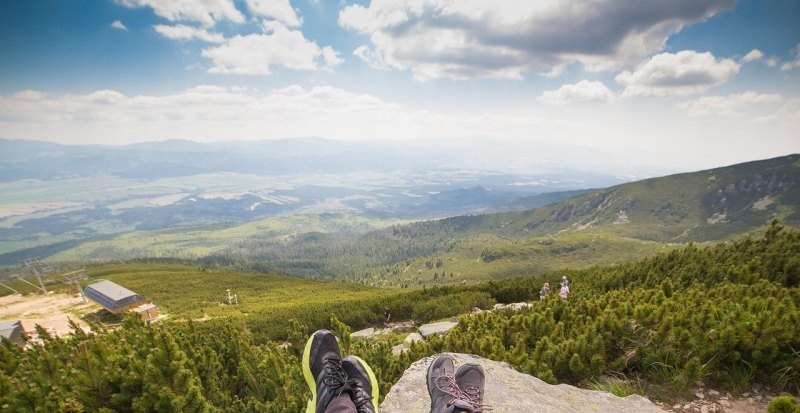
508, 391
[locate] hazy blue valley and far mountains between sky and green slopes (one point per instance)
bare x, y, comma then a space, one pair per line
68, 202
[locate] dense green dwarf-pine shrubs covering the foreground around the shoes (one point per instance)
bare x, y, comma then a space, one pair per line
726, 314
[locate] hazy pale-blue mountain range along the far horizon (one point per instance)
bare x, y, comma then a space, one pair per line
23, 159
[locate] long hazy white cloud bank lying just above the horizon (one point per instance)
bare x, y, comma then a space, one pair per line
214, 113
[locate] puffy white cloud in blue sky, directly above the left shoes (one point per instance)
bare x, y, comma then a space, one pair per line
256, 54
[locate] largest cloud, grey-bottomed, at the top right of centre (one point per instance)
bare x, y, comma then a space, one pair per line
506, 38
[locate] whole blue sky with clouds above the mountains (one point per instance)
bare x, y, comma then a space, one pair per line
679, 83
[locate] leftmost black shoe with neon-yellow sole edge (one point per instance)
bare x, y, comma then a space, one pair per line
322, 369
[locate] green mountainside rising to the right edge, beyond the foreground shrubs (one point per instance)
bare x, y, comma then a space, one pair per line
603, 227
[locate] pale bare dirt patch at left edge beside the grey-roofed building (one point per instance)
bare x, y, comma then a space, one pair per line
51, 311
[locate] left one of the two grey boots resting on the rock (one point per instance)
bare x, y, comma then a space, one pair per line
442, 387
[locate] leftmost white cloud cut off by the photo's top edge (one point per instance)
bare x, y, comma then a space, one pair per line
206, 12
